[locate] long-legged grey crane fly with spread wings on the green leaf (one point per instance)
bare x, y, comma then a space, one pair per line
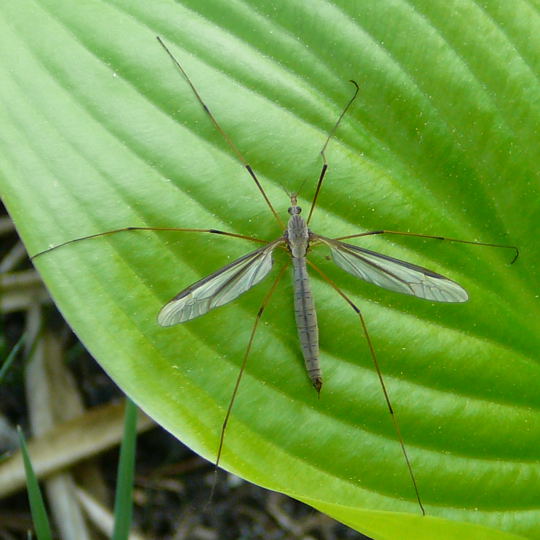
234, 279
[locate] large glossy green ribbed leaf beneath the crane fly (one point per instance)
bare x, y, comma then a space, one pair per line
99, 131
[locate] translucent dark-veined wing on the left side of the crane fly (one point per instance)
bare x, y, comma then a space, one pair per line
219, 288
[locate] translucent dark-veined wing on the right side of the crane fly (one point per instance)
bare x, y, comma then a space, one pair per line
393, 274
